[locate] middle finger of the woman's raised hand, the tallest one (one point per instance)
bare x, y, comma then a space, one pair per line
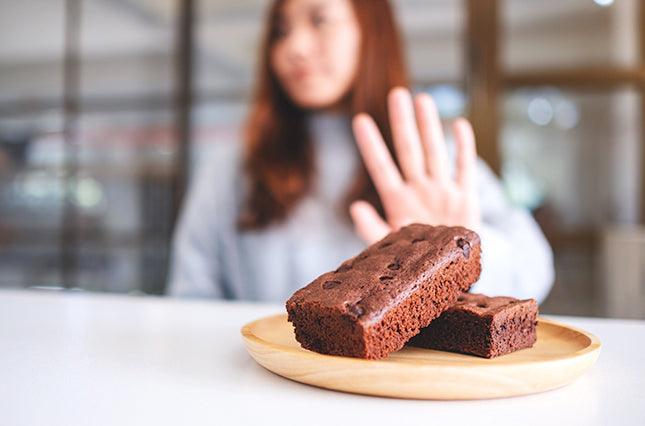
406, 135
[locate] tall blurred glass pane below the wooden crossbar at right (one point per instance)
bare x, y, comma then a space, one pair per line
573, 158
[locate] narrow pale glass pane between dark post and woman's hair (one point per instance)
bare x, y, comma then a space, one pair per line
225, 71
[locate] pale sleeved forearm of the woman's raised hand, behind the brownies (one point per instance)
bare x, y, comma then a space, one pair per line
516, 257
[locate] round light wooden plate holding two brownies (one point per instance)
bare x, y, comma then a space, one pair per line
560, 355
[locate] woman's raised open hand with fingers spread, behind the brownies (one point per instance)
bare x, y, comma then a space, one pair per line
423, 191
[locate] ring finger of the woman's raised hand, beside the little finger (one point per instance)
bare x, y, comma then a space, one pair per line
432, 138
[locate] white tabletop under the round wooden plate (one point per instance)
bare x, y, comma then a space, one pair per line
81, 359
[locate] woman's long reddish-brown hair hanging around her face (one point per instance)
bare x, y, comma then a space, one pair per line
278, 156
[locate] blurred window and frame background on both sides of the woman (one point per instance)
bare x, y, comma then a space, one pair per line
107, 105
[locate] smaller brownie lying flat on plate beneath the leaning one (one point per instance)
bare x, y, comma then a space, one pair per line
483, 326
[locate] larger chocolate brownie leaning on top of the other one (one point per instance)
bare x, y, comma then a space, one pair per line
373, 303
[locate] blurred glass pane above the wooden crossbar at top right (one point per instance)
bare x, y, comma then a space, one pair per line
564, 34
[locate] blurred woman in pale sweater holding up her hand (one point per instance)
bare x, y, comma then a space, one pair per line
337, 154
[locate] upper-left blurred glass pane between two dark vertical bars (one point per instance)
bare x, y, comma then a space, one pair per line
127, 48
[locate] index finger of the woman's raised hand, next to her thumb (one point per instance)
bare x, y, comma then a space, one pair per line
377, 158
